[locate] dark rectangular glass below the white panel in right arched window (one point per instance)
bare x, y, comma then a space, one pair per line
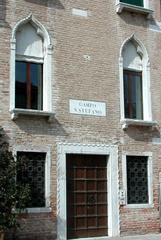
133, 100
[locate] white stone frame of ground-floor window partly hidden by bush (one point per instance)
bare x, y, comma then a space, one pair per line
46, 150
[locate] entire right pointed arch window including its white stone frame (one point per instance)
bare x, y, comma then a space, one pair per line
135, 84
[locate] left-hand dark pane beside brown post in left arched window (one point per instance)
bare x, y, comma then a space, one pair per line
21, 85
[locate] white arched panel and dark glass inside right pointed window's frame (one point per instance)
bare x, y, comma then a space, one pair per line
132, 81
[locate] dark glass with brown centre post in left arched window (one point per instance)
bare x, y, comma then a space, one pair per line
29, 85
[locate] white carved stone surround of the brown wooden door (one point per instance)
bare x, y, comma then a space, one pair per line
111, 152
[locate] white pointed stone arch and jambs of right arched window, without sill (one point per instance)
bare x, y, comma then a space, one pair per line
147, 112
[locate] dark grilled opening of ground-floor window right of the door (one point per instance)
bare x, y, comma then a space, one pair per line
137, 179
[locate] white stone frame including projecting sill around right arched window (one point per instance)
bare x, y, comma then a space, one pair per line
147, 111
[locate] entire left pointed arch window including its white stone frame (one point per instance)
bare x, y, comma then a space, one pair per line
31, 52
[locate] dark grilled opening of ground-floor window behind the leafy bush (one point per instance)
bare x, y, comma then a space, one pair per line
32, 172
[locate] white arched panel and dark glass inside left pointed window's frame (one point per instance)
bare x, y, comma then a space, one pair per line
29, 68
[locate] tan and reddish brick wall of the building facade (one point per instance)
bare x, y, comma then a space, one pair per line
100, 36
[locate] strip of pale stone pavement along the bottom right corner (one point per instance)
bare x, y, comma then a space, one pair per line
139, 237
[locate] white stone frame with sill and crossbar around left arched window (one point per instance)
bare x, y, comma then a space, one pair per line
47, 70
